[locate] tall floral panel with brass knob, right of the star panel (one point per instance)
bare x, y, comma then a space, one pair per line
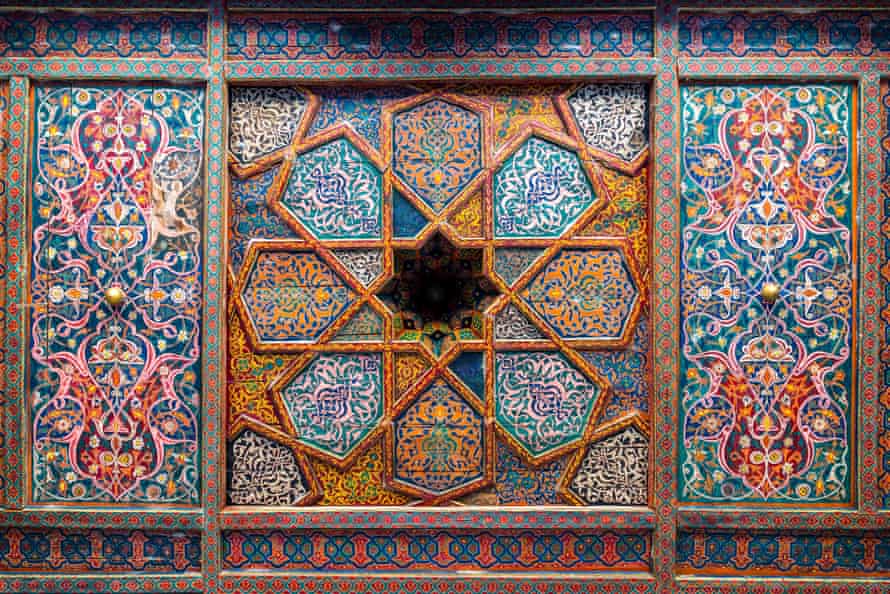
767, 294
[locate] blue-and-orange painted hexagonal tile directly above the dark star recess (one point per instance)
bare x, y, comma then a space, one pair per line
437, 150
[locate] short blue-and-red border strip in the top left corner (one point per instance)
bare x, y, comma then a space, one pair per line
103, 35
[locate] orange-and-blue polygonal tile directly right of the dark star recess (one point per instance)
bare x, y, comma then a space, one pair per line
586, 294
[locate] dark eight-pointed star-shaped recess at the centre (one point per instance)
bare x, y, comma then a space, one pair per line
438, 294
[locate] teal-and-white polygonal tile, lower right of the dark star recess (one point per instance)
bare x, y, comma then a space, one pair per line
543, 403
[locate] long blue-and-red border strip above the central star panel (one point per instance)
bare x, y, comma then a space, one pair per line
360, 36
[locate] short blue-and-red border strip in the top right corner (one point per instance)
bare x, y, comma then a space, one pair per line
774, 34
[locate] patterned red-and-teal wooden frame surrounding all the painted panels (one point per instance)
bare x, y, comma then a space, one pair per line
667, 68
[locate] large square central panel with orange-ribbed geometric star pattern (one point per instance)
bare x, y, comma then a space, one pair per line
438, 296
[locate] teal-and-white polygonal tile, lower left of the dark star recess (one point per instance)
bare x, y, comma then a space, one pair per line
336, 402
